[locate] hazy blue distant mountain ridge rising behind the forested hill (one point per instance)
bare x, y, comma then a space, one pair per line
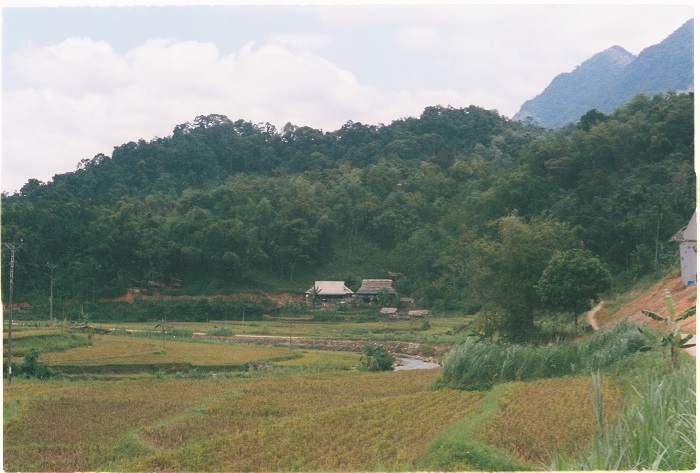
612, 77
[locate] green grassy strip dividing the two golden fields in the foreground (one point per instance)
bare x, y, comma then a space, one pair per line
455, 448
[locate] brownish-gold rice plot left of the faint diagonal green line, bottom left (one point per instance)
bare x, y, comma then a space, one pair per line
73, 426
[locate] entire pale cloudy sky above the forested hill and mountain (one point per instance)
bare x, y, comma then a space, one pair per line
78, 81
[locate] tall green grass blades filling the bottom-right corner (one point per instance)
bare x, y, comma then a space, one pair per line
656, 430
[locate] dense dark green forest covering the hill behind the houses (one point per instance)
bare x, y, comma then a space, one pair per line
465, 203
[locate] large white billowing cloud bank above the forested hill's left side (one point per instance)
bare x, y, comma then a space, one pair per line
82, 98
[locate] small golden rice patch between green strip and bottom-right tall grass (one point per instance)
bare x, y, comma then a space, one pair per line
554, 415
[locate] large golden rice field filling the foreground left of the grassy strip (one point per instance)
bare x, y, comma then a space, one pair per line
149, 423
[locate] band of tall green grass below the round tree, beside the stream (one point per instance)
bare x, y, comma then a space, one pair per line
478, 364
